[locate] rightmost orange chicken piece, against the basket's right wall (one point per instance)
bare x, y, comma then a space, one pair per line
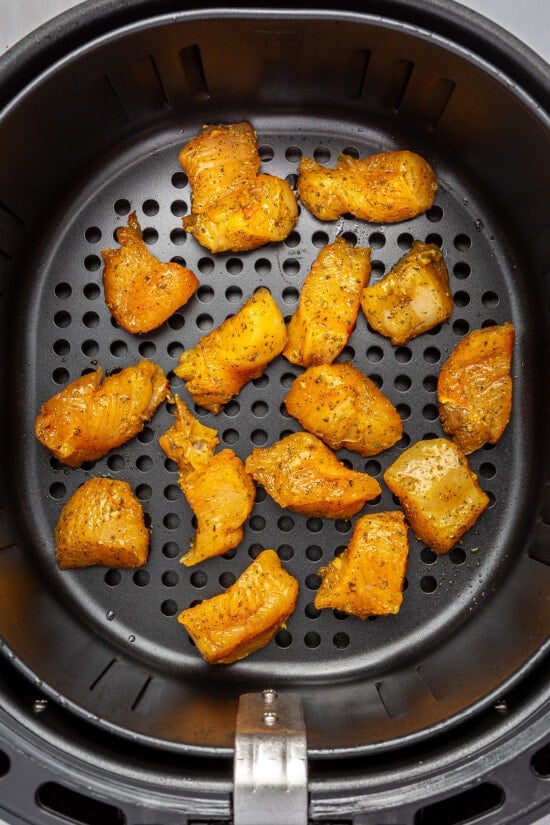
474, 388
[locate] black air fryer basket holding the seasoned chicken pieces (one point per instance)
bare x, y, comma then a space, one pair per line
92, 126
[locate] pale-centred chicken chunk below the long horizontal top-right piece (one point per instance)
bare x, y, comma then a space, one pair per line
412, 298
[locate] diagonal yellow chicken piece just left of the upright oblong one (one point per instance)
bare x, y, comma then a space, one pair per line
237, 351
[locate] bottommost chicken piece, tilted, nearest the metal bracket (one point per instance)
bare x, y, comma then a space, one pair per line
236, 623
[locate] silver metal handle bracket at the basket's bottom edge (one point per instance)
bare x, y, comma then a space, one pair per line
270, 771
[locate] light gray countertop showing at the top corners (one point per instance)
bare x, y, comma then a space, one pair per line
528, 20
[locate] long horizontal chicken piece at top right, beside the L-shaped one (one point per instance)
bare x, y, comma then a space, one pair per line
384, 188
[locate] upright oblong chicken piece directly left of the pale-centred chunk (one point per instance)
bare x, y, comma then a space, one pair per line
329, 302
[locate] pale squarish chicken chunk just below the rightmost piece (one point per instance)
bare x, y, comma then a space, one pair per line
438, 492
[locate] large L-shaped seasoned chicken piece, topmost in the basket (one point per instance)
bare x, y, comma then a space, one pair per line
234, 207
